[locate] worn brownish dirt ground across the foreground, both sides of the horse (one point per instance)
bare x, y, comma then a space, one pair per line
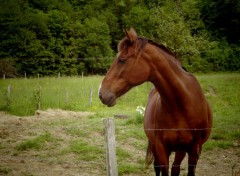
53, 160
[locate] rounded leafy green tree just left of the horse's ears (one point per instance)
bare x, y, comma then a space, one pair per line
95, 42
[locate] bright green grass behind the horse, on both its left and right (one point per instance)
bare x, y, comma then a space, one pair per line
221, 89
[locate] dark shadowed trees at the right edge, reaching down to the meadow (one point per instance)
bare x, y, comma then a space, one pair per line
222, 19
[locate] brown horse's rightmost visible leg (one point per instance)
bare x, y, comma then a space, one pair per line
193, 157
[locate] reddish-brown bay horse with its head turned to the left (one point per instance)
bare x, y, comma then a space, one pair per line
177, 118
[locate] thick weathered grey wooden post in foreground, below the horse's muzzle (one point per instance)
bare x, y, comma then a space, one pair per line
111, 159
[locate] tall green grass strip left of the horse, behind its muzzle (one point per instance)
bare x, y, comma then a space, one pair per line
65, 93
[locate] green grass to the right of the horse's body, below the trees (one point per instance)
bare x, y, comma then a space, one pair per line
223, 92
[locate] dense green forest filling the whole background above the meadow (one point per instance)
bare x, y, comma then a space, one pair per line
70, 37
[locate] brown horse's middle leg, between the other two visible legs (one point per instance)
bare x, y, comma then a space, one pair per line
177, 162
